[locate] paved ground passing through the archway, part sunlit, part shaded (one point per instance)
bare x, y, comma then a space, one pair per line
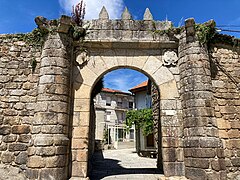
123, 164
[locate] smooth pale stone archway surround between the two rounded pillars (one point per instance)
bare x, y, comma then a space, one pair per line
102, 61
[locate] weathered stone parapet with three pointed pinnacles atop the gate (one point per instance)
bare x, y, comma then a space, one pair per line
127, 29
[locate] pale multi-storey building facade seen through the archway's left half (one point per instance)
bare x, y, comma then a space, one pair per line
111, 107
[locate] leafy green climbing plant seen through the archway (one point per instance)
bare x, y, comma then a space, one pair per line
143, 119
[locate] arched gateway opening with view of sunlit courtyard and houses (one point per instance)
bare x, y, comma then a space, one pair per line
108, 124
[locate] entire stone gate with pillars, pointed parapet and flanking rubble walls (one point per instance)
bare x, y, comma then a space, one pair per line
46, 124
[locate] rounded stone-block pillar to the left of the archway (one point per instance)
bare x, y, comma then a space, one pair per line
48, 156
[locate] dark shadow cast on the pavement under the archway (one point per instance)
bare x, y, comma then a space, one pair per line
109, 167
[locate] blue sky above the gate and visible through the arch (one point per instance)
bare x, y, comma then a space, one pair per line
17, 16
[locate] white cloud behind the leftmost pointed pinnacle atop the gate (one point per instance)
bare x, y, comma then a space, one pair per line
93, 7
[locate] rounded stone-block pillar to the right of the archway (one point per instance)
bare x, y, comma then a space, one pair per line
203, 153
